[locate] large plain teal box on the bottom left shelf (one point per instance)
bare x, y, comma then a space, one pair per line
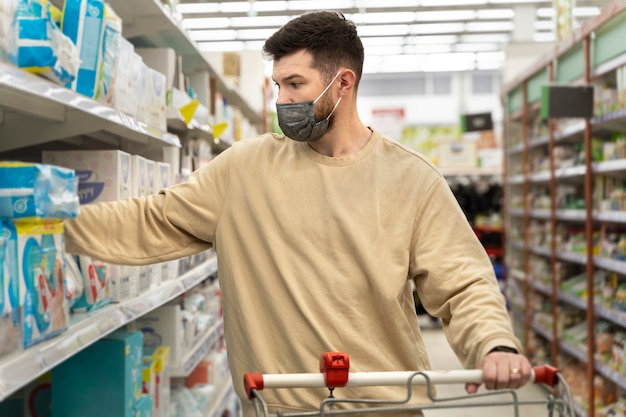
107, 374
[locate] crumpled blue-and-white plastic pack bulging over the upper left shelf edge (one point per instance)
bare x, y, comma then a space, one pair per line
35, 43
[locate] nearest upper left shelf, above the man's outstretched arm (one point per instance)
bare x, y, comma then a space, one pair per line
62, 113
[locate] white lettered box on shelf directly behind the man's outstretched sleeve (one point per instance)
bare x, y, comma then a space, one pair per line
104, 175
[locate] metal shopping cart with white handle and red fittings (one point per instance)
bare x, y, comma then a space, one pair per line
335, 373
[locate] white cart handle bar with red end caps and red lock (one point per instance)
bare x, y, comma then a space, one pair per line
334, 372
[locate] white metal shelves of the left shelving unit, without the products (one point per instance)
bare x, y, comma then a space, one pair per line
36, 113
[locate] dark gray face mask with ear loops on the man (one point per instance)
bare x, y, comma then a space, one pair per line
297, 120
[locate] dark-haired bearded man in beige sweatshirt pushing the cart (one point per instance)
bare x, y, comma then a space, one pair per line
319, 234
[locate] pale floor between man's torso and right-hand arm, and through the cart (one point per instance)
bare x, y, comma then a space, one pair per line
443, 358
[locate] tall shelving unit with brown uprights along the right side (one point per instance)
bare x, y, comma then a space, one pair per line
541, 184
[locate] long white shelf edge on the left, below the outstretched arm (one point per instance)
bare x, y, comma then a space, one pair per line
19, 369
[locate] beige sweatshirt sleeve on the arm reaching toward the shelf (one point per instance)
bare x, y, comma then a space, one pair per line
176, 222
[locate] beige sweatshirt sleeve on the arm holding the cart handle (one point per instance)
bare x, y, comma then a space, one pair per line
455, 279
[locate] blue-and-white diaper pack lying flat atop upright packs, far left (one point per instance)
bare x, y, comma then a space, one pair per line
37, 190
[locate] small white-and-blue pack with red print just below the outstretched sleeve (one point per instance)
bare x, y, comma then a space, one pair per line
96, 284
